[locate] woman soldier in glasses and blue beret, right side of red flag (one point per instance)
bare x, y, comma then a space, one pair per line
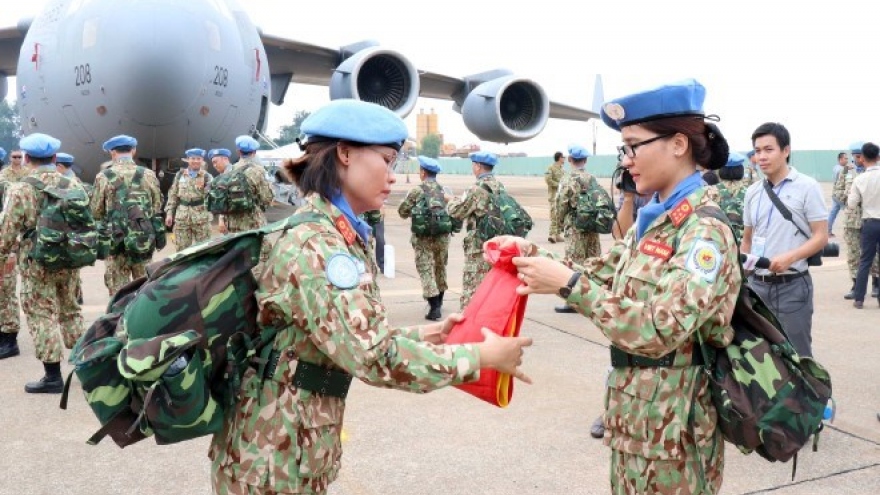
673, 276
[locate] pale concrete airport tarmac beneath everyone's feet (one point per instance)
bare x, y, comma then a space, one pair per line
448, 442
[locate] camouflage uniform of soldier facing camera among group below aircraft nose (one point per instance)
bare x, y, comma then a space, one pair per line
186, 202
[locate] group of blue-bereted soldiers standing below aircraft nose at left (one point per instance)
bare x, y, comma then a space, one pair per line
52, 298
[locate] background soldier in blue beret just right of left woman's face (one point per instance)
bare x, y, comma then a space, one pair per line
432, 252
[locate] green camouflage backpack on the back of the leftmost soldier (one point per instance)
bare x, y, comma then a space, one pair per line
65, 235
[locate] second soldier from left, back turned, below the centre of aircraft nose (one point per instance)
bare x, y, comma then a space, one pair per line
120, 268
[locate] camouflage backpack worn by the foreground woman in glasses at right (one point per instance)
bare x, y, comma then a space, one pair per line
770, 400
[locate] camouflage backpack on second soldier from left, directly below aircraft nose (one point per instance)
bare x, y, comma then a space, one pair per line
133, 231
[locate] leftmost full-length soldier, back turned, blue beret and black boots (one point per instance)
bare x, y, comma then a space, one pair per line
48, 295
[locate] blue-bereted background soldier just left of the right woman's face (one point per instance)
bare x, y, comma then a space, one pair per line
579, 245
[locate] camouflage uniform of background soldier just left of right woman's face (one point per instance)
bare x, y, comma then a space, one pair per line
578, 245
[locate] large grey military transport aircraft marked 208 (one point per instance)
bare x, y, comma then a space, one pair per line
90, 69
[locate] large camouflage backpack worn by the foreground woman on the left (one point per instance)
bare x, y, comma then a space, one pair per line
167, 358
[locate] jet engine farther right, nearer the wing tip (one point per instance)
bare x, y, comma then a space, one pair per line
506, 109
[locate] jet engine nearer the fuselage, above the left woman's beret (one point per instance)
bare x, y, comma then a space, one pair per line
378, 76
